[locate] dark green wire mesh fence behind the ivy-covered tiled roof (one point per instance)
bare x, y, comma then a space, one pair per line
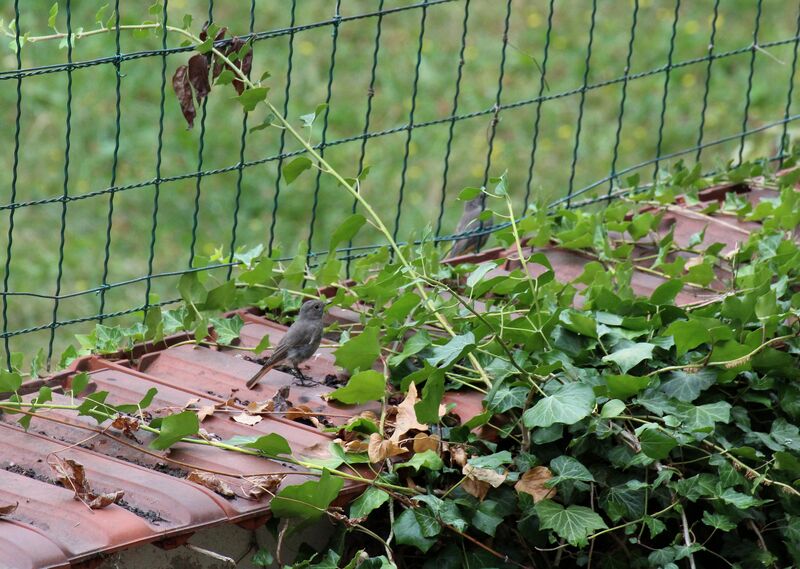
106, 198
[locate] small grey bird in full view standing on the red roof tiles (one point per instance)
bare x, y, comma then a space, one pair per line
299, 343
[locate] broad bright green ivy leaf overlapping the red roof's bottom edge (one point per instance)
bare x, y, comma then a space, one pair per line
307, 501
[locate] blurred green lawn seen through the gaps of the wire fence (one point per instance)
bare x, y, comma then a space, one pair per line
41, 159
